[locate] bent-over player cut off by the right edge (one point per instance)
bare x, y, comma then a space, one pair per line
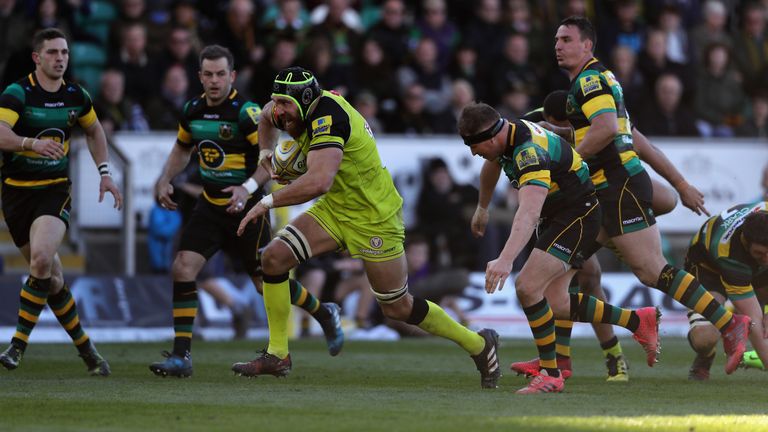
729, 255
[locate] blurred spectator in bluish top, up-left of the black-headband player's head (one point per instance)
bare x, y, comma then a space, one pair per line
424, 70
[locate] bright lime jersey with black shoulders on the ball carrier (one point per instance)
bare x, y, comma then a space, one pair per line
363, 189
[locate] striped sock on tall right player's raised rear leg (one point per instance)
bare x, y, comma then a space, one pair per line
684, 288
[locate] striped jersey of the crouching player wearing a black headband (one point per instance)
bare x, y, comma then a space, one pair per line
536, 156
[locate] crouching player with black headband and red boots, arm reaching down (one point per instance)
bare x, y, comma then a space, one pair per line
554, 185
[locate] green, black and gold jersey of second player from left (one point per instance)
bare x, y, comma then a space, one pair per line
226, 139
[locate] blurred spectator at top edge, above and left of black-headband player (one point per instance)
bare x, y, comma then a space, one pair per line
435, 25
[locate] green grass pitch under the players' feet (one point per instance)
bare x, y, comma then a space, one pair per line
411, 385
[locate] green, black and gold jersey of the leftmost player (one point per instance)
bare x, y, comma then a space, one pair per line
33, 112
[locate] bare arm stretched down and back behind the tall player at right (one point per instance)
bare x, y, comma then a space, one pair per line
653, 156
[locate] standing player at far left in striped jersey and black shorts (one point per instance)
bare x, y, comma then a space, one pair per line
37, 115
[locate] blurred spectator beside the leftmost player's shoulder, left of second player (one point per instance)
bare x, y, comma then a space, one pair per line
116, 110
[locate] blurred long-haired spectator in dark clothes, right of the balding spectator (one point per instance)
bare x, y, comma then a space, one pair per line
719, 96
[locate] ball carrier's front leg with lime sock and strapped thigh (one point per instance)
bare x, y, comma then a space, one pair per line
297, 242
